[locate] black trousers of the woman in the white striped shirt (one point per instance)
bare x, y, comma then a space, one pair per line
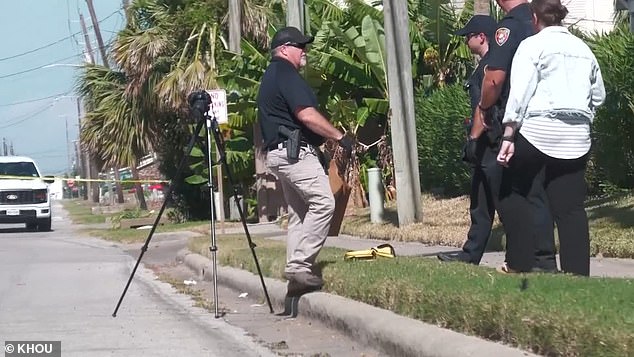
563, 181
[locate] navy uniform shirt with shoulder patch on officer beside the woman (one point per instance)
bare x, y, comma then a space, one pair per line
513, 29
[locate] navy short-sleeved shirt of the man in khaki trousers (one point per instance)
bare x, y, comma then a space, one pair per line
282, 91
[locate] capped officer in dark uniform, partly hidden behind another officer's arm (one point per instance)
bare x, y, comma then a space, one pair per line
481, 153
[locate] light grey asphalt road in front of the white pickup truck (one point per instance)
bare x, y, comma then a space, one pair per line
56, 287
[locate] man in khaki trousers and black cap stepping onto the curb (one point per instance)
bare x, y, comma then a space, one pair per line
285, 104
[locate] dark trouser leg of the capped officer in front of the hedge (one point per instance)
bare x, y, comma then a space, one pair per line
485, 185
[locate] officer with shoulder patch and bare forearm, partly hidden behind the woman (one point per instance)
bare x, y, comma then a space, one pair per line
512, 29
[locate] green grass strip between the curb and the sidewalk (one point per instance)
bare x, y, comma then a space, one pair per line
554, 314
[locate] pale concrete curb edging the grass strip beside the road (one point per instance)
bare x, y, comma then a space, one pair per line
394, 334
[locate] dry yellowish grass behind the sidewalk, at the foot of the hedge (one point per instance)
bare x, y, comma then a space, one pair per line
446, 222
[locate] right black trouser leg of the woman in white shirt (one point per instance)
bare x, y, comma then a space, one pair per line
566, 188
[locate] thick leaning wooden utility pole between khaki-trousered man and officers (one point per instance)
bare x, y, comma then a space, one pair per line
401, 94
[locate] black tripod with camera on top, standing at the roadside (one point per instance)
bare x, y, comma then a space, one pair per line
200, 104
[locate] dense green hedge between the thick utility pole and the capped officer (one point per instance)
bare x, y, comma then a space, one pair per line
440, 134
